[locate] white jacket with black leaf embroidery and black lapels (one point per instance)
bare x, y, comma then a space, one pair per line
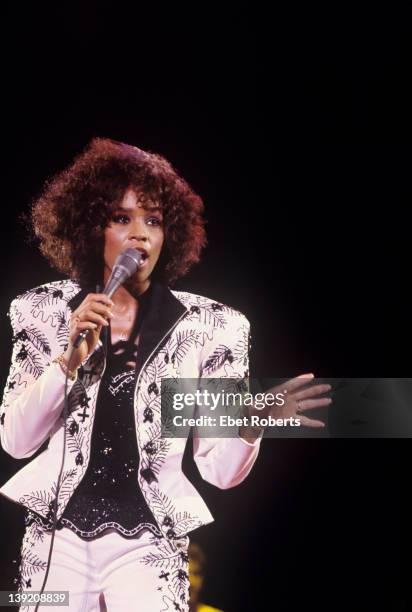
189, 336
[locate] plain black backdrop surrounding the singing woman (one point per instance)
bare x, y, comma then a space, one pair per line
295, 128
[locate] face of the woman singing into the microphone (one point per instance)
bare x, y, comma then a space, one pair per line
134, 225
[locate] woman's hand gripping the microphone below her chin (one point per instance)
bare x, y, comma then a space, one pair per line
94, 312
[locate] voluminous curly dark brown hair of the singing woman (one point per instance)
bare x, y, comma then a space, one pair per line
76, 205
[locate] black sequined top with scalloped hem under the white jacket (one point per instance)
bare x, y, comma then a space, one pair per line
109, 495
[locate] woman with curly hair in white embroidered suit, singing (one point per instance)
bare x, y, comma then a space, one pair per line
124, 507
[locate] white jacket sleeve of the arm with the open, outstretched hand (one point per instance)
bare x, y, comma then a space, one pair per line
225, 462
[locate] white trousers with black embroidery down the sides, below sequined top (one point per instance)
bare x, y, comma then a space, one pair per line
141, 574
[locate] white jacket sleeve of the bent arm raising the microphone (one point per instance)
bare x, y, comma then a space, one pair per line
34, 393
